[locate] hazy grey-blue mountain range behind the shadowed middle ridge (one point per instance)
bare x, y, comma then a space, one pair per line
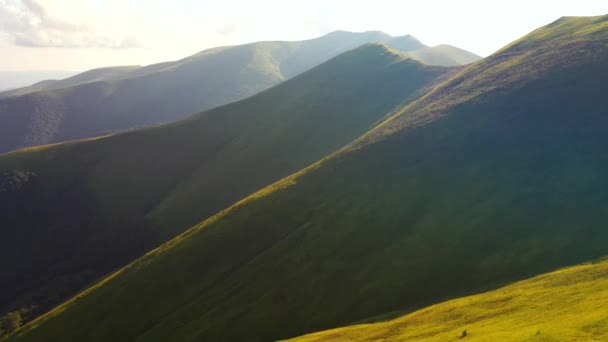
110, 100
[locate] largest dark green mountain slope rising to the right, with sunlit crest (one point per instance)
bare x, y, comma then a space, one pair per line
495, 174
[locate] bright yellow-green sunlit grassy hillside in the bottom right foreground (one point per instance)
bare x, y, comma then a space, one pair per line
566, 305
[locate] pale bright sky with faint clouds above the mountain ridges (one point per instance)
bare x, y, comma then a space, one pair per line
82, 34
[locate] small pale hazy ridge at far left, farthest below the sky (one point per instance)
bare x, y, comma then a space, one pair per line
95, 75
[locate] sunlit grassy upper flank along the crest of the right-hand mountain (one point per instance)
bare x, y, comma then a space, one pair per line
565, 43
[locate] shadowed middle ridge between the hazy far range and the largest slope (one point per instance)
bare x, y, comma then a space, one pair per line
72, 212
